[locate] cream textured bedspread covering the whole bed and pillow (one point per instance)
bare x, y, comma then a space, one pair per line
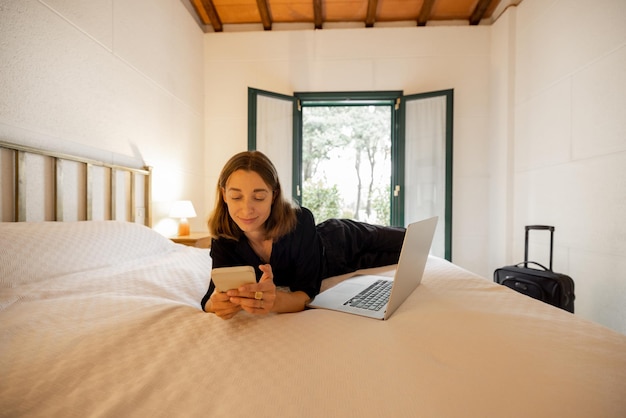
83, 334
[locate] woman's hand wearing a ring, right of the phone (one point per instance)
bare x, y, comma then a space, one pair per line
256, 298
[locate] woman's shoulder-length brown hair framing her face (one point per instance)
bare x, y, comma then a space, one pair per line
282, 218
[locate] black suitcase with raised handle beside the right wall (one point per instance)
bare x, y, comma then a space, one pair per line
540, 283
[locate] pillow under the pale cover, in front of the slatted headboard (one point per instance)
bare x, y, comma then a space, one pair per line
34, 251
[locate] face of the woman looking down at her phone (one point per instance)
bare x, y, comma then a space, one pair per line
249, 200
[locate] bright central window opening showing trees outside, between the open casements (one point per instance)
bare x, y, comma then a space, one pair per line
346, 162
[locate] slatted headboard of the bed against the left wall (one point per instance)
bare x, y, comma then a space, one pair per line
42, 185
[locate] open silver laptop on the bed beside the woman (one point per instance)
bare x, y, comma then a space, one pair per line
377, 296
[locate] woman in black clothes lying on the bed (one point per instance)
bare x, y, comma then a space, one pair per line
254, 224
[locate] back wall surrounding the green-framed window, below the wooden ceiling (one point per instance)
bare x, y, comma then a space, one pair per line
411, 59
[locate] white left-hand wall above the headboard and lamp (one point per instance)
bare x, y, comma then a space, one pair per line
110, 78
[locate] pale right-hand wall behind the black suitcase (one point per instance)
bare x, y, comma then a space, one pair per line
561, 146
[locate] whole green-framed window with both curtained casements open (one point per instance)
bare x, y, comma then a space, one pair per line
416, 163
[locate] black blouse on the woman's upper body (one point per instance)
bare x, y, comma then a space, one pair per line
296, 259
